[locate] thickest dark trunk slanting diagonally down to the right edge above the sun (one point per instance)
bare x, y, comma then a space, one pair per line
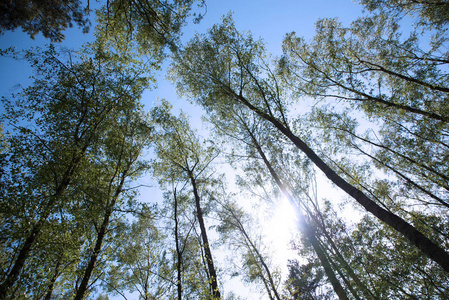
432, 250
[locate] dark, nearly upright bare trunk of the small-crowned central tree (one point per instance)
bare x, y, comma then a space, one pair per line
208, 254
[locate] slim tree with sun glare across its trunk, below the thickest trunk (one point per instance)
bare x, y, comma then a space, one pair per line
241, 126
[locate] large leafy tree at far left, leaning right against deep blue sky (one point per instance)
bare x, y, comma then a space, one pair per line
70, 106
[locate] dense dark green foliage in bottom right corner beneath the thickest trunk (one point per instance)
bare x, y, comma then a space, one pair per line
386, 257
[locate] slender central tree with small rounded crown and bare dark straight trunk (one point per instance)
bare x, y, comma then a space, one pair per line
182, 158
